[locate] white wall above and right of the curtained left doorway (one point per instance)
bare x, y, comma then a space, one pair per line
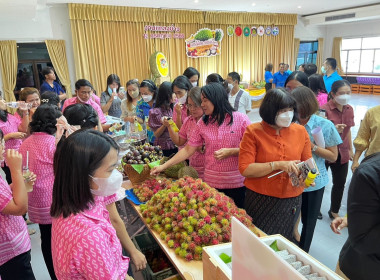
37, 26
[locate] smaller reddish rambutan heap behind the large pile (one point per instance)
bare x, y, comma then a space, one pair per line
148, 188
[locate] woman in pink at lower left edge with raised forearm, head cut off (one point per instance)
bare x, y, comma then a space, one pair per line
14, 238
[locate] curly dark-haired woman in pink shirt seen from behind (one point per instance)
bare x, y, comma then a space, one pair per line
41, 147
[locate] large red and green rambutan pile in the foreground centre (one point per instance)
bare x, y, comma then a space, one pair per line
189, 214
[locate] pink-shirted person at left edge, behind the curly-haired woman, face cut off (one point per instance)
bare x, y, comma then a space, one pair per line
14, 129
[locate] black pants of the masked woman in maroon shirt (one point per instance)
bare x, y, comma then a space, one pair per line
339, 174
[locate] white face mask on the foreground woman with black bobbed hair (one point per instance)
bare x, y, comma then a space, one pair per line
108, 186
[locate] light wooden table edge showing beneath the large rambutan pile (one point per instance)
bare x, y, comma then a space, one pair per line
188, 270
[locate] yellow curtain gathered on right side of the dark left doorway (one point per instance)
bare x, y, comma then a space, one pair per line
57, 53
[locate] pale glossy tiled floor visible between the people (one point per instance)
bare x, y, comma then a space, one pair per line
326, 245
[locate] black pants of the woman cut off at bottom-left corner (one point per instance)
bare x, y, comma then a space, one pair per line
18, 268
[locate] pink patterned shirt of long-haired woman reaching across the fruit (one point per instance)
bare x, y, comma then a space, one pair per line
221, 174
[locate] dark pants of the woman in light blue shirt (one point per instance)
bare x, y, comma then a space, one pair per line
311, 204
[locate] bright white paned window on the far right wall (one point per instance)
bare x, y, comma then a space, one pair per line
361, 55
